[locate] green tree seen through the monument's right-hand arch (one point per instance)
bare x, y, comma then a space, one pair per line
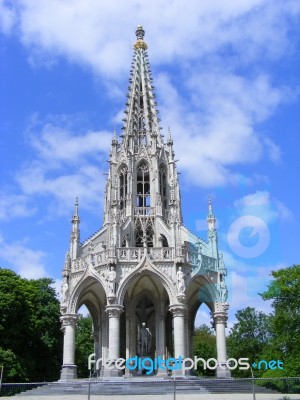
204, 345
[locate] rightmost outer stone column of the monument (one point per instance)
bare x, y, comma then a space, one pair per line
220, 318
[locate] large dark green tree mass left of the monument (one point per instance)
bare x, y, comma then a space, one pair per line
30, 336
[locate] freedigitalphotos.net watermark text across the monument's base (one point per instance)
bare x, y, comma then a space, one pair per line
172, 364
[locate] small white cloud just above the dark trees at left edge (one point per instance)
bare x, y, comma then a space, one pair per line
26, 262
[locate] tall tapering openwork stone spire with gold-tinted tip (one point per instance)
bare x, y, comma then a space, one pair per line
141, 124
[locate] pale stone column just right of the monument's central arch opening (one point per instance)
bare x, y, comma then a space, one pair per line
178, 311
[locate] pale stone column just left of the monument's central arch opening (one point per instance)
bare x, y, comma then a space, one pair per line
114, 312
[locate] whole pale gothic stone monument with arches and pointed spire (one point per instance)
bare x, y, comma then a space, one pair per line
143, 266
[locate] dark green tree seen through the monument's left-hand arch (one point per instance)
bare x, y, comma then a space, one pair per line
84, 345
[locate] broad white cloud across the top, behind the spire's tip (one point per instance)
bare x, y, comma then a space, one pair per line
95, 33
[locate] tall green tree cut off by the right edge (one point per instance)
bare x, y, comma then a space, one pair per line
284, 290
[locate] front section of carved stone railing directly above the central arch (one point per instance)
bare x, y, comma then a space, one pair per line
137, 253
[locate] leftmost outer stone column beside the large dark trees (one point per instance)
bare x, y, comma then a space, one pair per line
69, 369
